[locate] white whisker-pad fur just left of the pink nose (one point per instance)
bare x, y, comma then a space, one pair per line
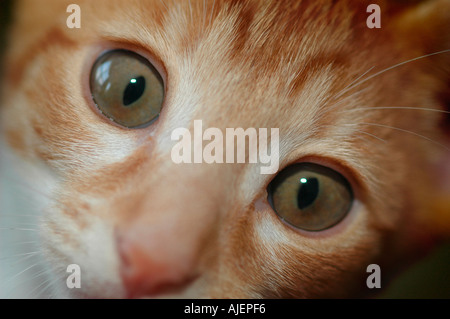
91, 249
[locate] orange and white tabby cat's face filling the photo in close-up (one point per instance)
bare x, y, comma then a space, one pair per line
87, 176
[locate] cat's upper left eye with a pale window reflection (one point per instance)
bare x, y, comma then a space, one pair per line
127, 88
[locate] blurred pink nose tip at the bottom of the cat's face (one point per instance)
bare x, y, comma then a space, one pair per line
152, 266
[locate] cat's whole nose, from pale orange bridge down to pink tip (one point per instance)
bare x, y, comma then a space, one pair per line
166, 237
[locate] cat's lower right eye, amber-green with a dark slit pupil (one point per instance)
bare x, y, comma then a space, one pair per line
310, 197
